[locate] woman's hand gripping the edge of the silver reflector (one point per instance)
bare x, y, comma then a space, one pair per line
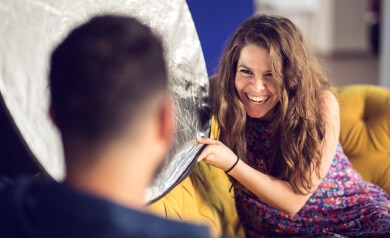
216, 153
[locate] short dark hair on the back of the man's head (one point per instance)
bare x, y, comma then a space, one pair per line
102, 74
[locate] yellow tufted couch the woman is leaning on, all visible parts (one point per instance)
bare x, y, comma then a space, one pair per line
204, 196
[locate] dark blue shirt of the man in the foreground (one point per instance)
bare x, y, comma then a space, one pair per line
45, 208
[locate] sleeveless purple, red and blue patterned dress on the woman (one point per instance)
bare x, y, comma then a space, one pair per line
342, 206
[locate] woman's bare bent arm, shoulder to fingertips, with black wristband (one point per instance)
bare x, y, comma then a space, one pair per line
275, 192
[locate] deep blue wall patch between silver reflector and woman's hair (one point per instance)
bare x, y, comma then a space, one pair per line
215, 21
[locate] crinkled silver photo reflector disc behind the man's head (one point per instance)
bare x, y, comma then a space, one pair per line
30, 29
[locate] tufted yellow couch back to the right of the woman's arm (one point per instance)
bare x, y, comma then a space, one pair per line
365, 130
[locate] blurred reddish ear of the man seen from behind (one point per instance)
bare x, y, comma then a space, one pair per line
167, 121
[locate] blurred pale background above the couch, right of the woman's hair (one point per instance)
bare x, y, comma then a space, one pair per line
351, 37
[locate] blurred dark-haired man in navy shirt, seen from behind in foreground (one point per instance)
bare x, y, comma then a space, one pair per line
108, 82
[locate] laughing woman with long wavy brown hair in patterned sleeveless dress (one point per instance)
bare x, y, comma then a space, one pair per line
277, 114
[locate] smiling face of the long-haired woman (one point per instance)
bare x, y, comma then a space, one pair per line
254, 82
